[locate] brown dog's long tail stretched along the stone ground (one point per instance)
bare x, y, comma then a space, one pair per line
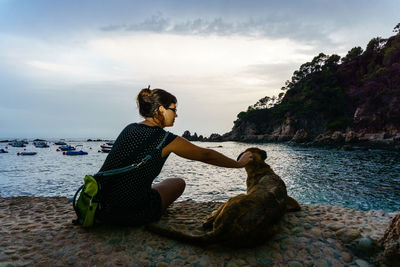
171, 232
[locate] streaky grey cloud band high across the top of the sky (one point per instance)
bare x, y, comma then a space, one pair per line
260, 27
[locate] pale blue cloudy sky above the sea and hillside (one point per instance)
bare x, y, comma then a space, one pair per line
73, 69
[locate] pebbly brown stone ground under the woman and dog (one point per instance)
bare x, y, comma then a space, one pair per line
37, 231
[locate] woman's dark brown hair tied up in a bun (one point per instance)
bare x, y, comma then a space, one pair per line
149, 101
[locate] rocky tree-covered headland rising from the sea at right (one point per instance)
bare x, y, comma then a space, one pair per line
332, 100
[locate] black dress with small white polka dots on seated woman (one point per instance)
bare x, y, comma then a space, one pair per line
128, 198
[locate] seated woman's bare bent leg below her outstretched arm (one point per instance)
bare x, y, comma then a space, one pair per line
170, 189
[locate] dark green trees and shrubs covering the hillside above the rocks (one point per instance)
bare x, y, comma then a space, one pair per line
331, 89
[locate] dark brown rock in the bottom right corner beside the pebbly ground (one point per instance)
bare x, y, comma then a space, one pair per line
391, 243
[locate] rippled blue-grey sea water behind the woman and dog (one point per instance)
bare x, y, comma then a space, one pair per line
365, 180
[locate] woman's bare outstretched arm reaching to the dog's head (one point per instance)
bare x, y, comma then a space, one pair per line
183, 148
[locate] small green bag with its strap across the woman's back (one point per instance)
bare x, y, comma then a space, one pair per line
90, 192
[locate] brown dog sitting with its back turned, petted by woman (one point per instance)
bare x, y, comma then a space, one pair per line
245, 220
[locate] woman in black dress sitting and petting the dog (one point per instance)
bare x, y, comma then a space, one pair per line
130, 198
